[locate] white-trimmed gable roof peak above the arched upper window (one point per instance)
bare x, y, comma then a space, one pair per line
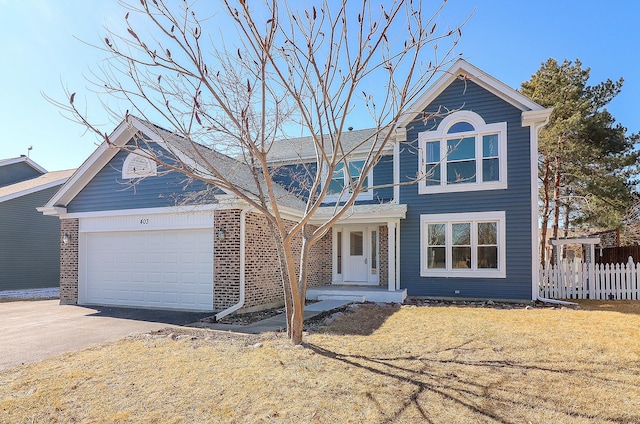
461, 69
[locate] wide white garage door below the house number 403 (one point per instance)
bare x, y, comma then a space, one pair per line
168, 269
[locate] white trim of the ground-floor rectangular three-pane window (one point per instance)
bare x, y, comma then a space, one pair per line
473, 217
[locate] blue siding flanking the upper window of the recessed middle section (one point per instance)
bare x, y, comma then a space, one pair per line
296, 179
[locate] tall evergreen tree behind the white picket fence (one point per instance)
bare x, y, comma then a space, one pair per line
587, 163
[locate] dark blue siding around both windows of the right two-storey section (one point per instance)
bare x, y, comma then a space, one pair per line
515, 201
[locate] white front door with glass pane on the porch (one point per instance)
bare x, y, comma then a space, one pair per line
357, 248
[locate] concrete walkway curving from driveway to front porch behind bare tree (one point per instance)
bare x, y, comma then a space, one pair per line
278, 322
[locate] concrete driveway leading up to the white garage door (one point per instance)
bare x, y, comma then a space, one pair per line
32, 331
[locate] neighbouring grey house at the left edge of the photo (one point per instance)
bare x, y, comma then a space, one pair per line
29, 241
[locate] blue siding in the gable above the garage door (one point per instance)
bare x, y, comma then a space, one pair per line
108, 191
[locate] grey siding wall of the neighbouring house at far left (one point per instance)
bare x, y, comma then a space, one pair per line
29, 243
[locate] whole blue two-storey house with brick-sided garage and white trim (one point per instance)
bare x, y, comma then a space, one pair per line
469, 231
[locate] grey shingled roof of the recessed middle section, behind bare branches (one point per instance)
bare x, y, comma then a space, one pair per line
304, 149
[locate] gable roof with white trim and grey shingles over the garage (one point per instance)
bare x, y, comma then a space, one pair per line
193, 154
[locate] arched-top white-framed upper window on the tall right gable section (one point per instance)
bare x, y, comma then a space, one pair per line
463, 154
